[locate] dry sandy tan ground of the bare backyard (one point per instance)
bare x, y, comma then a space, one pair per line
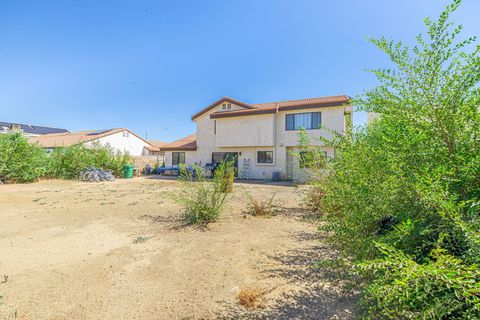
75, 250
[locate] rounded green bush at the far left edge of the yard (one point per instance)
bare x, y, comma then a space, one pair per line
20, 161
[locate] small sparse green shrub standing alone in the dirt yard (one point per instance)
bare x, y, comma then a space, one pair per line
202, 199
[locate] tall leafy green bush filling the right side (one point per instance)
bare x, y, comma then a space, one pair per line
402, 197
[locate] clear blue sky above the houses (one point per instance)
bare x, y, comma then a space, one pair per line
149, 65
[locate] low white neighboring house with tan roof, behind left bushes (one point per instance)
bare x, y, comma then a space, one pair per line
119, 139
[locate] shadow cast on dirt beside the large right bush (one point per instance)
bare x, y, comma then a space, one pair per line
315, 296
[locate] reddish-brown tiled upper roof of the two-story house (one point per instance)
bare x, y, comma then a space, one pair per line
272, 107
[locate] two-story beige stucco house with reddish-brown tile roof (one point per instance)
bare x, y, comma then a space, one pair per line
263, 135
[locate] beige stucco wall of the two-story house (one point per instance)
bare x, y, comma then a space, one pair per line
249, 134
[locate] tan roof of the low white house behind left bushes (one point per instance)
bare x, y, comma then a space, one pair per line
69, 139
